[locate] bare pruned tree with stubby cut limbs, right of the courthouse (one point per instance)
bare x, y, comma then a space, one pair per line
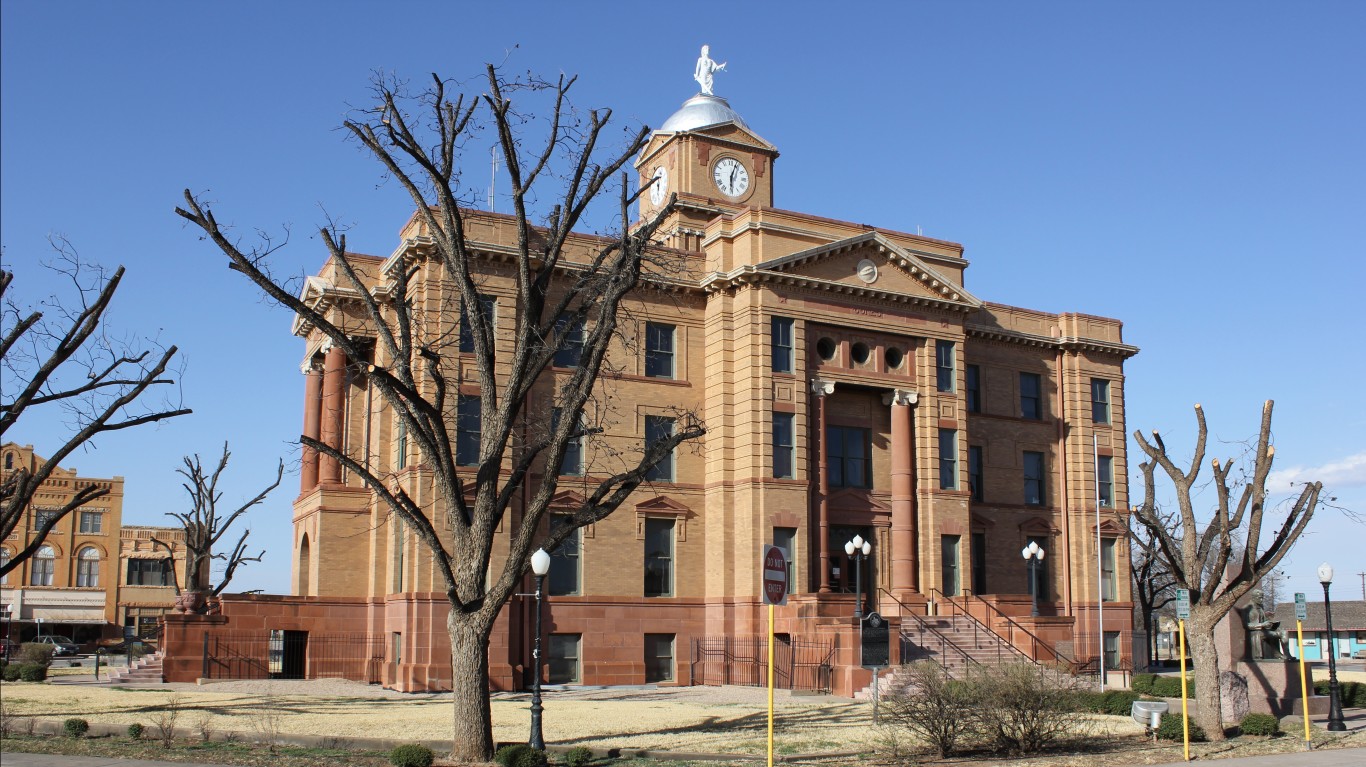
1226, 559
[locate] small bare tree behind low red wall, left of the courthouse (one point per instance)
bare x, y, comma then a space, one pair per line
204, 527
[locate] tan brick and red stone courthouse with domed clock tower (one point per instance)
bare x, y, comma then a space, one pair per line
850, 385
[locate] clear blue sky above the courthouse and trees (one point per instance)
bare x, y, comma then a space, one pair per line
1195, 170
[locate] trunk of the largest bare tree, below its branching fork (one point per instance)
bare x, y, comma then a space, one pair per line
473, 727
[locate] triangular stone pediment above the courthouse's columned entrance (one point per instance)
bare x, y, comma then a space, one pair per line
844, 266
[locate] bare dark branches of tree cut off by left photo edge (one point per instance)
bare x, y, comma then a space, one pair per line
58, 355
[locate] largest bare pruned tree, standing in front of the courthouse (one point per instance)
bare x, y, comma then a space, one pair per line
563, 284
